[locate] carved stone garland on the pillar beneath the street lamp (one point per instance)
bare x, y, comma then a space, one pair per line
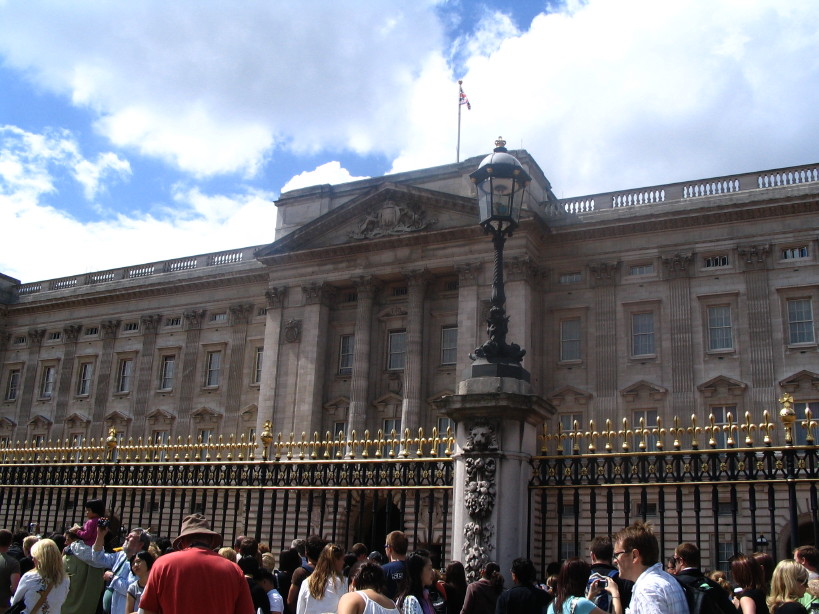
480, 462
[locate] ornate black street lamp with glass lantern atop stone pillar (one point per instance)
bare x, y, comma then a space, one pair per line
501, 183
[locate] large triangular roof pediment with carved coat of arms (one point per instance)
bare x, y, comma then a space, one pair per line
386, 214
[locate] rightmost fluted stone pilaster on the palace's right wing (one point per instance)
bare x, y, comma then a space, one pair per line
755, 261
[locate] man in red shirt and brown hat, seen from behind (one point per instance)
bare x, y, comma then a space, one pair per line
195, 579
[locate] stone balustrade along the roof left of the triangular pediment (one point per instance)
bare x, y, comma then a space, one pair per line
214, 259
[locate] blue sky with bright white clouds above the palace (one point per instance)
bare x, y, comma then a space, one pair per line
134, 132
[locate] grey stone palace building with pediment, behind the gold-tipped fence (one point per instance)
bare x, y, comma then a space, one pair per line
690, 298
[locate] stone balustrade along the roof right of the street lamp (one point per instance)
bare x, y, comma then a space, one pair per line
686, 190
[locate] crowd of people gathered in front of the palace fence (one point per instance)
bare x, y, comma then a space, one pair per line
80, 572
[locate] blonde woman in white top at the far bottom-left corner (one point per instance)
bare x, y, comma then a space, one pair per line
44, 588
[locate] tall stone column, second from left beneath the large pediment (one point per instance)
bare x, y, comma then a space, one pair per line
312, 336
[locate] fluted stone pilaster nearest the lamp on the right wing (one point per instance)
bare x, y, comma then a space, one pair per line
603, 276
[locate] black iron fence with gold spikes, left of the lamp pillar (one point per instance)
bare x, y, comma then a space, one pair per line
347, 490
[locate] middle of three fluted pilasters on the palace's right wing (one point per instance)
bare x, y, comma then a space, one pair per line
678, 273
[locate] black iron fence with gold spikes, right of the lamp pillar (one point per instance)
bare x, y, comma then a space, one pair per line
723, 486
